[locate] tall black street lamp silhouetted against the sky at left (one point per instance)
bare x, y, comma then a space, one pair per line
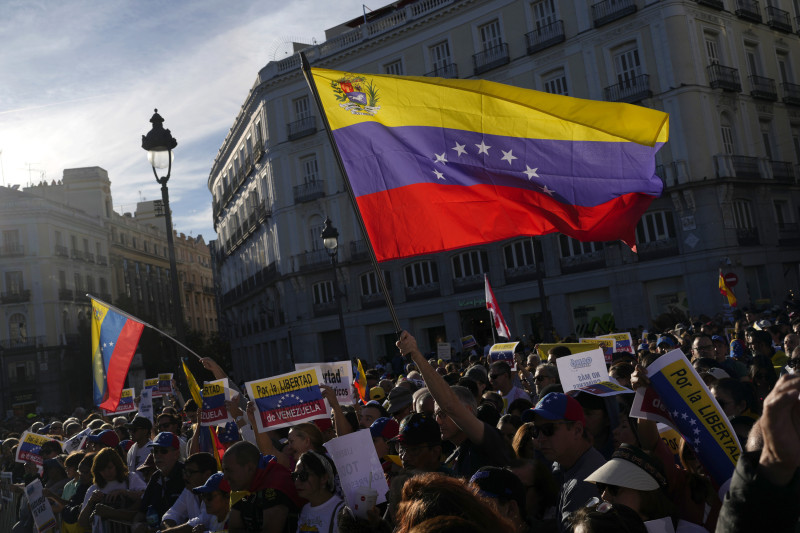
159, 144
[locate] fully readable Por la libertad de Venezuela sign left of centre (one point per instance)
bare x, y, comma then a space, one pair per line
287, 399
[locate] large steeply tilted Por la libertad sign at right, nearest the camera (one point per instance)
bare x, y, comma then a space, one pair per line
685, 404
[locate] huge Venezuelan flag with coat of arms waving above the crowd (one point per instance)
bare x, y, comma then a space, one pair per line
439, 164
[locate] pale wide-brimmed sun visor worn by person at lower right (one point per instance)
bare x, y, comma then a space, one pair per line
631, 468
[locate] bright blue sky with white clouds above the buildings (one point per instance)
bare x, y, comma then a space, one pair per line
80, 80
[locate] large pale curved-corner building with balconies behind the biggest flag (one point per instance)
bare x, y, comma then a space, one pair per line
724, 70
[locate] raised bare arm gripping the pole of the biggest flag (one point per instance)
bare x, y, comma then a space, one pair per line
442, 394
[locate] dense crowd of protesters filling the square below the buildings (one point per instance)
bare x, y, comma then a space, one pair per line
467, 445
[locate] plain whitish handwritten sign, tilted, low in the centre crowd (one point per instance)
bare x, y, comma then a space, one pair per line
358, 465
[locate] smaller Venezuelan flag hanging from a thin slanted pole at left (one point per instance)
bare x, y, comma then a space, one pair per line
114, 341
